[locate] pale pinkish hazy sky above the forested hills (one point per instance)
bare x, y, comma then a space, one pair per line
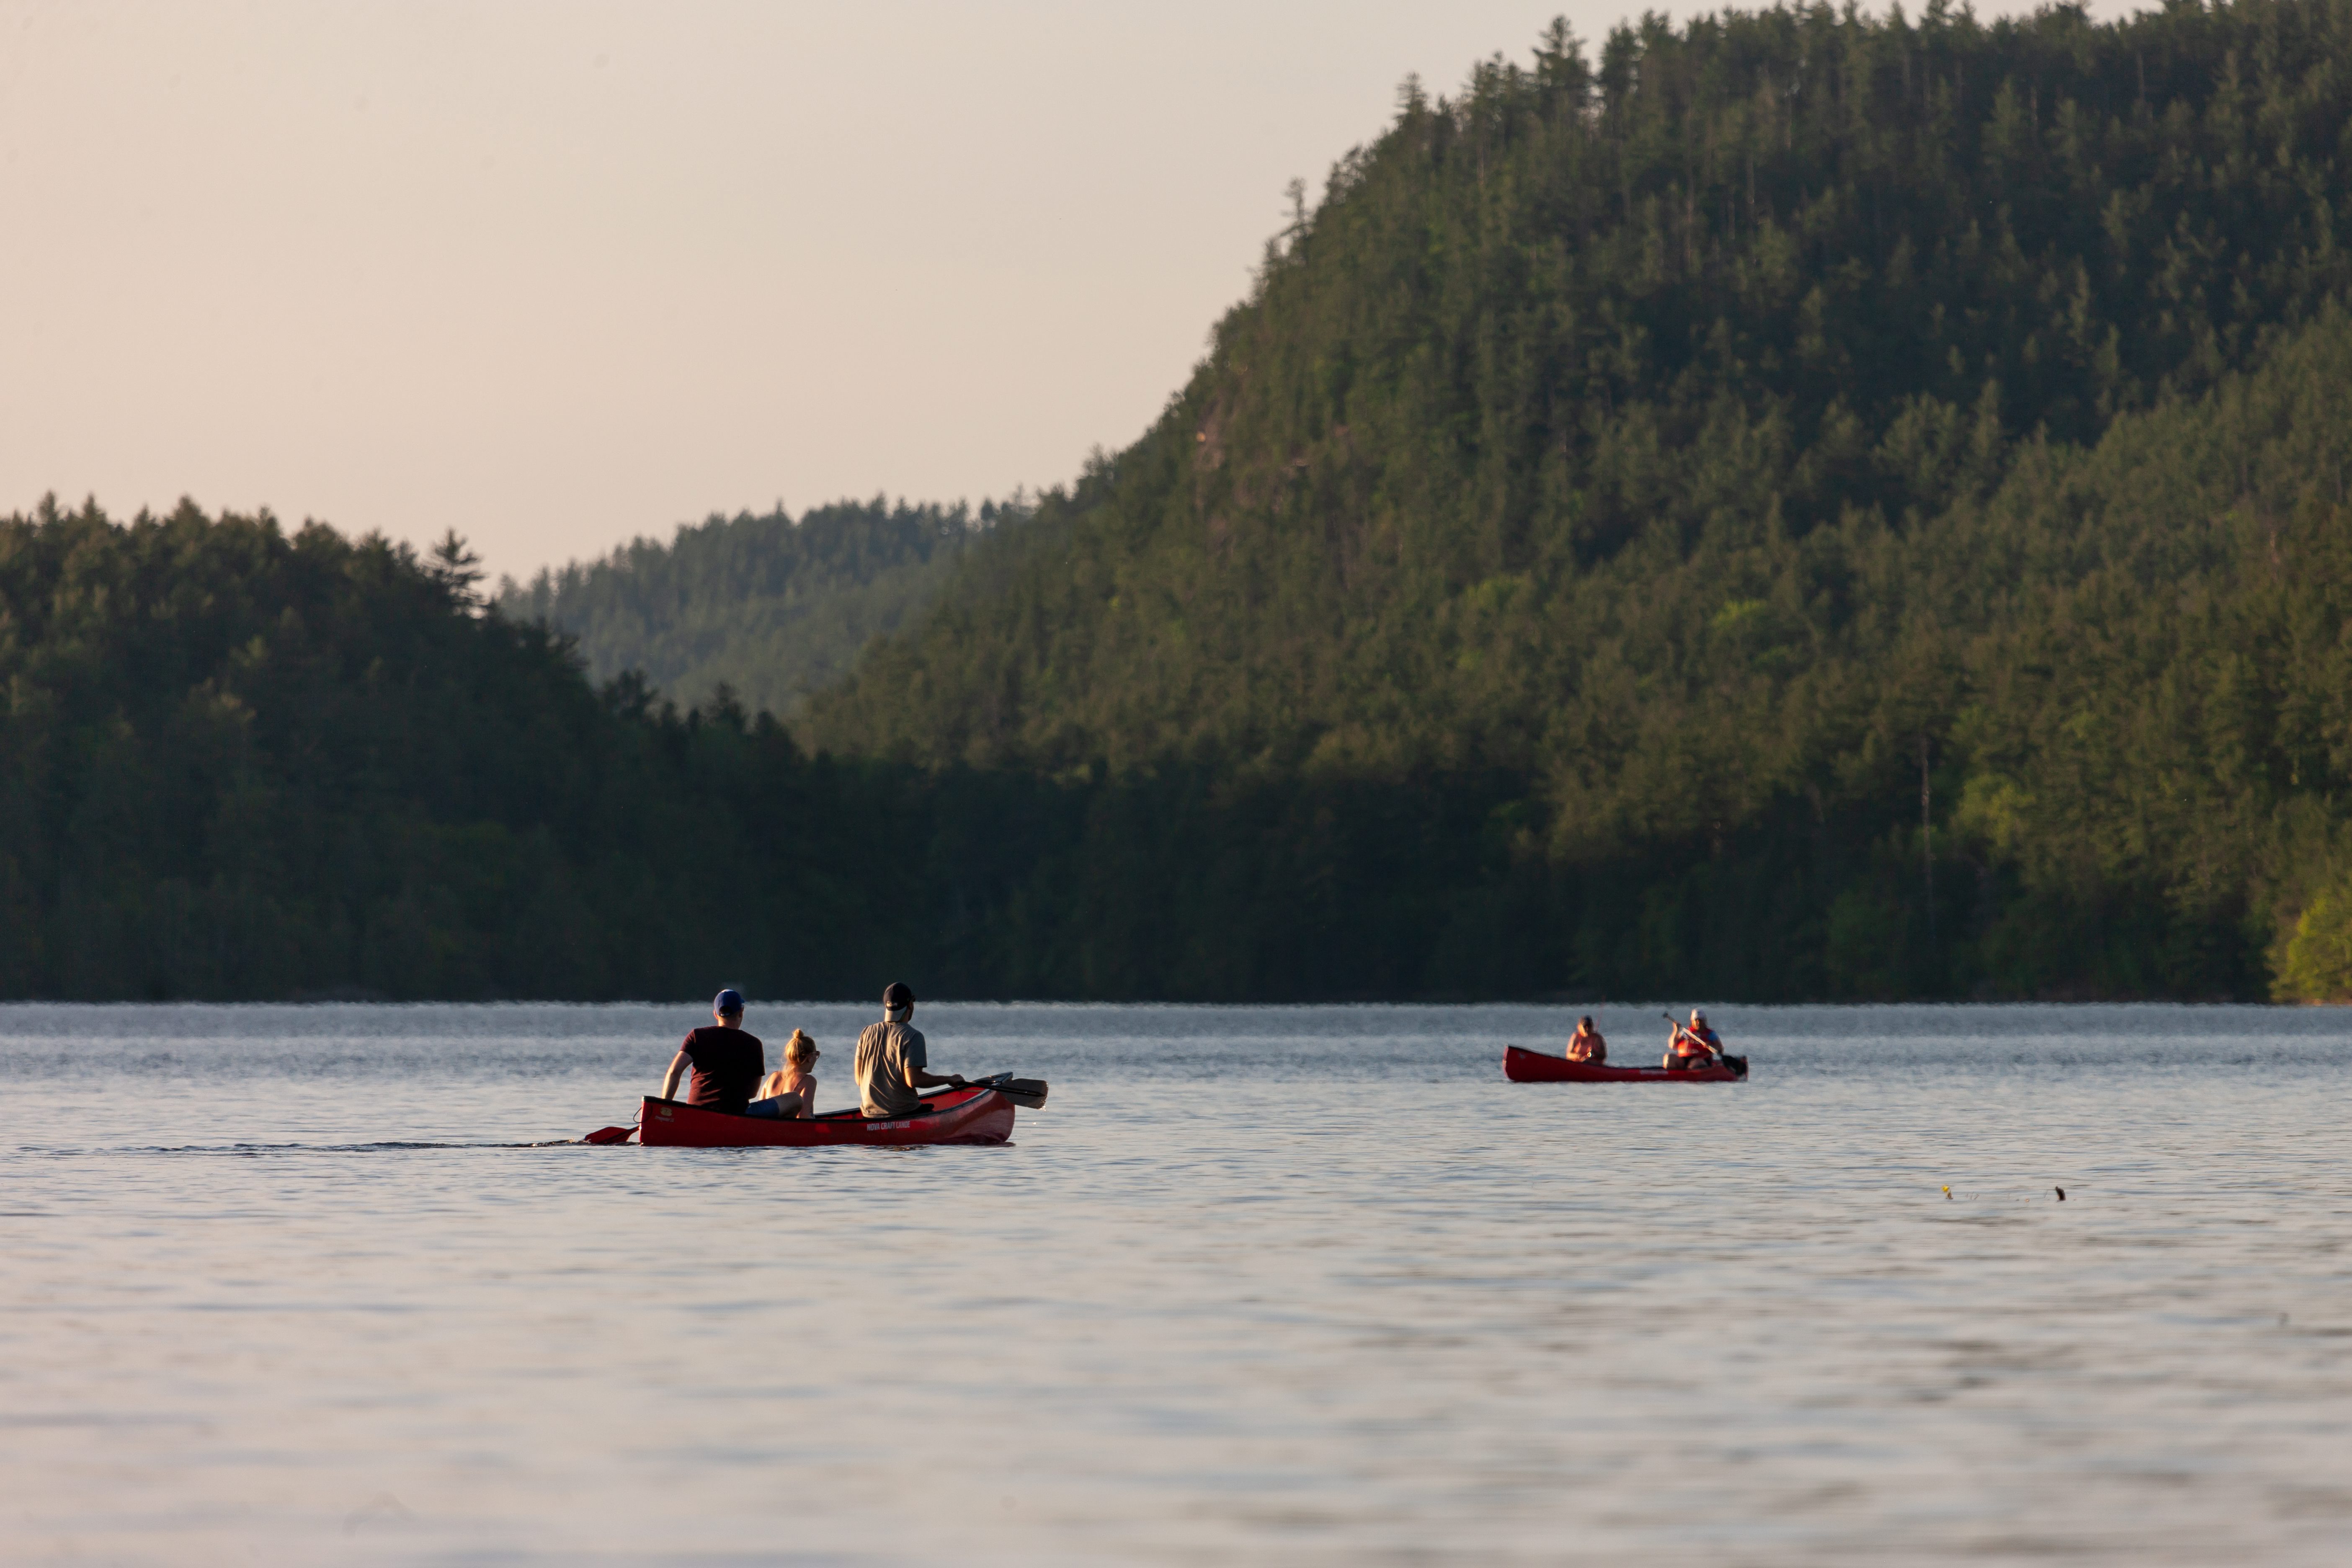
561, 274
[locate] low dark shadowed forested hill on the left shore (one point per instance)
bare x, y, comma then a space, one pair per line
248, 763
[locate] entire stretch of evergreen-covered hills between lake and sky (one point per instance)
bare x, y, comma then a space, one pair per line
1791, 507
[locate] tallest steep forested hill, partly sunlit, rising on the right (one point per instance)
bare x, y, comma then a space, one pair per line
1671, 467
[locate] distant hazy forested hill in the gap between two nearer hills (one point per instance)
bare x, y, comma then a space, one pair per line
766, 605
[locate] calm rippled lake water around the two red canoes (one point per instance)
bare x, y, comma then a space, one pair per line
1259, 1285
